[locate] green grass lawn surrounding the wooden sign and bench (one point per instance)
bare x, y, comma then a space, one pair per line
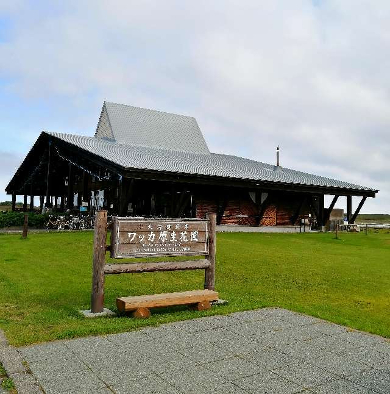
46, 279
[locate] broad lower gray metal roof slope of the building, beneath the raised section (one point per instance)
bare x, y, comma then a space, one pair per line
209, 164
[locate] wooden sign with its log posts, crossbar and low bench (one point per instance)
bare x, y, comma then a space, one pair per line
135, 238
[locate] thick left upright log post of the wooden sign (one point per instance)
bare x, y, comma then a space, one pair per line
99, 259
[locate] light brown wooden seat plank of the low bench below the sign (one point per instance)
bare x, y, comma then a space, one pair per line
127, 304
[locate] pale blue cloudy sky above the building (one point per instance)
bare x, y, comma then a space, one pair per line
310, 76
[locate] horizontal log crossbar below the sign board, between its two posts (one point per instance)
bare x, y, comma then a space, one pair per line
132, 268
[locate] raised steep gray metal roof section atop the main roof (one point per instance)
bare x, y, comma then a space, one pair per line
145, 127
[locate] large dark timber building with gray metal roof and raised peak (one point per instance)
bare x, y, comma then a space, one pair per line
147, 162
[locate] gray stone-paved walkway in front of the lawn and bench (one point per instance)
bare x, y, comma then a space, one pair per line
262, 351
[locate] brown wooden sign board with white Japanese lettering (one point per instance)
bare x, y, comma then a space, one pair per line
142, 238
